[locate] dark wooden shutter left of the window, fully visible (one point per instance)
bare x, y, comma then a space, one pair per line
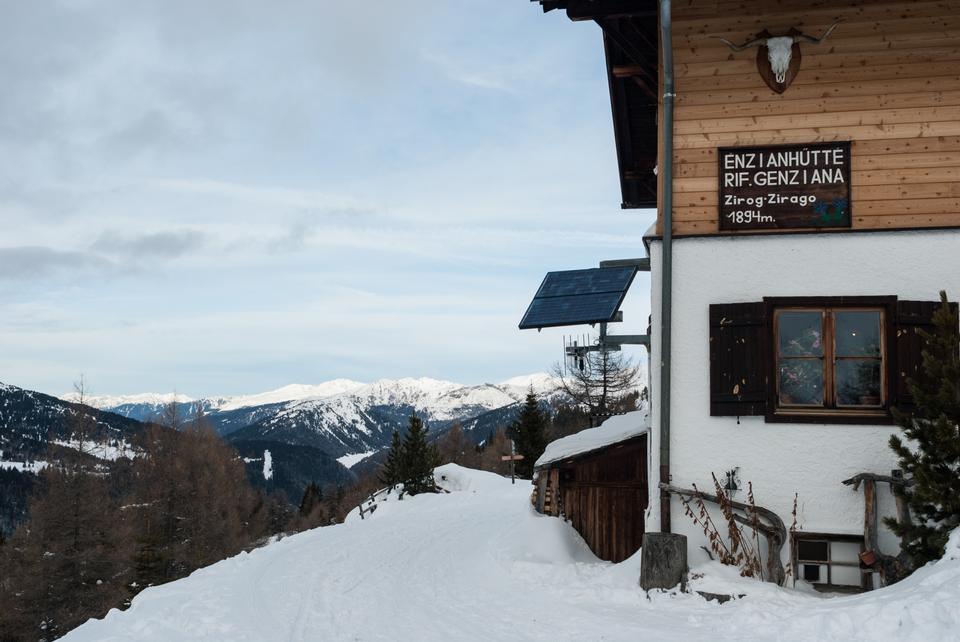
739, 360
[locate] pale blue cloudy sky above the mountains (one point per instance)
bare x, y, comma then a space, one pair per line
227, 197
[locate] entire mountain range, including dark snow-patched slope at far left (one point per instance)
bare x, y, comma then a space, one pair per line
287, 437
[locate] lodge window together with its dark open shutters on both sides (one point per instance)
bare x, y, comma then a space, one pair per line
816, 359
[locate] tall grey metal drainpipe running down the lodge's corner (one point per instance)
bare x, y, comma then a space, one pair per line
666, 282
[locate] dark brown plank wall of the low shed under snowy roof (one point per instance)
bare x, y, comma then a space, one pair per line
603, 494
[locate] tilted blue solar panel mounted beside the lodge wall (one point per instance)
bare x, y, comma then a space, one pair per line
578, 297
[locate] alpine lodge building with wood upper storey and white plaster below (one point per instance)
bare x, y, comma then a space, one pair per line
803, 157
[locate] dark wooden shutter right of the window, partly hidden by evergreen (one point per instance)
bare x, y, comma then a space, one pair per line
908, 344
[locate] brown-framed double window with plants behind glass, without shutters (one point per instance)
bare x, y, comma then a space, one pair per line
829, 358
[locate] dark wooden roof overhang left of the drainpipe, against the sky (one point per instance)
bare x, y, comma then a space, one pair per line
631, 43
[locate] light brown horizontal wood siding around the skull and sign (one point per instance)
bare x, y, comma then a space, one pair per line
887, 79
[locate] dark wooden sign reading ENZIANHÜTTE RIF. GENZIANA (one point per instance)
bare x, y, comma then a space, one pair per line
785, 186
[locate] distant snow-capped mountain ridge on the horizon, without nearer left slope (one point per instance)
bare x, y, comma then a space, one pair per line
343, 417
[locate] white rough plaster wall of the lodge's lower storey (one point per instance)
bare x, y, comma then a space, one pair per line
779, 458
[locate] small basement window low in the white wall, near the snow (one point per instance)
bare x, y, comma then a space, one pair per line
830, 562
